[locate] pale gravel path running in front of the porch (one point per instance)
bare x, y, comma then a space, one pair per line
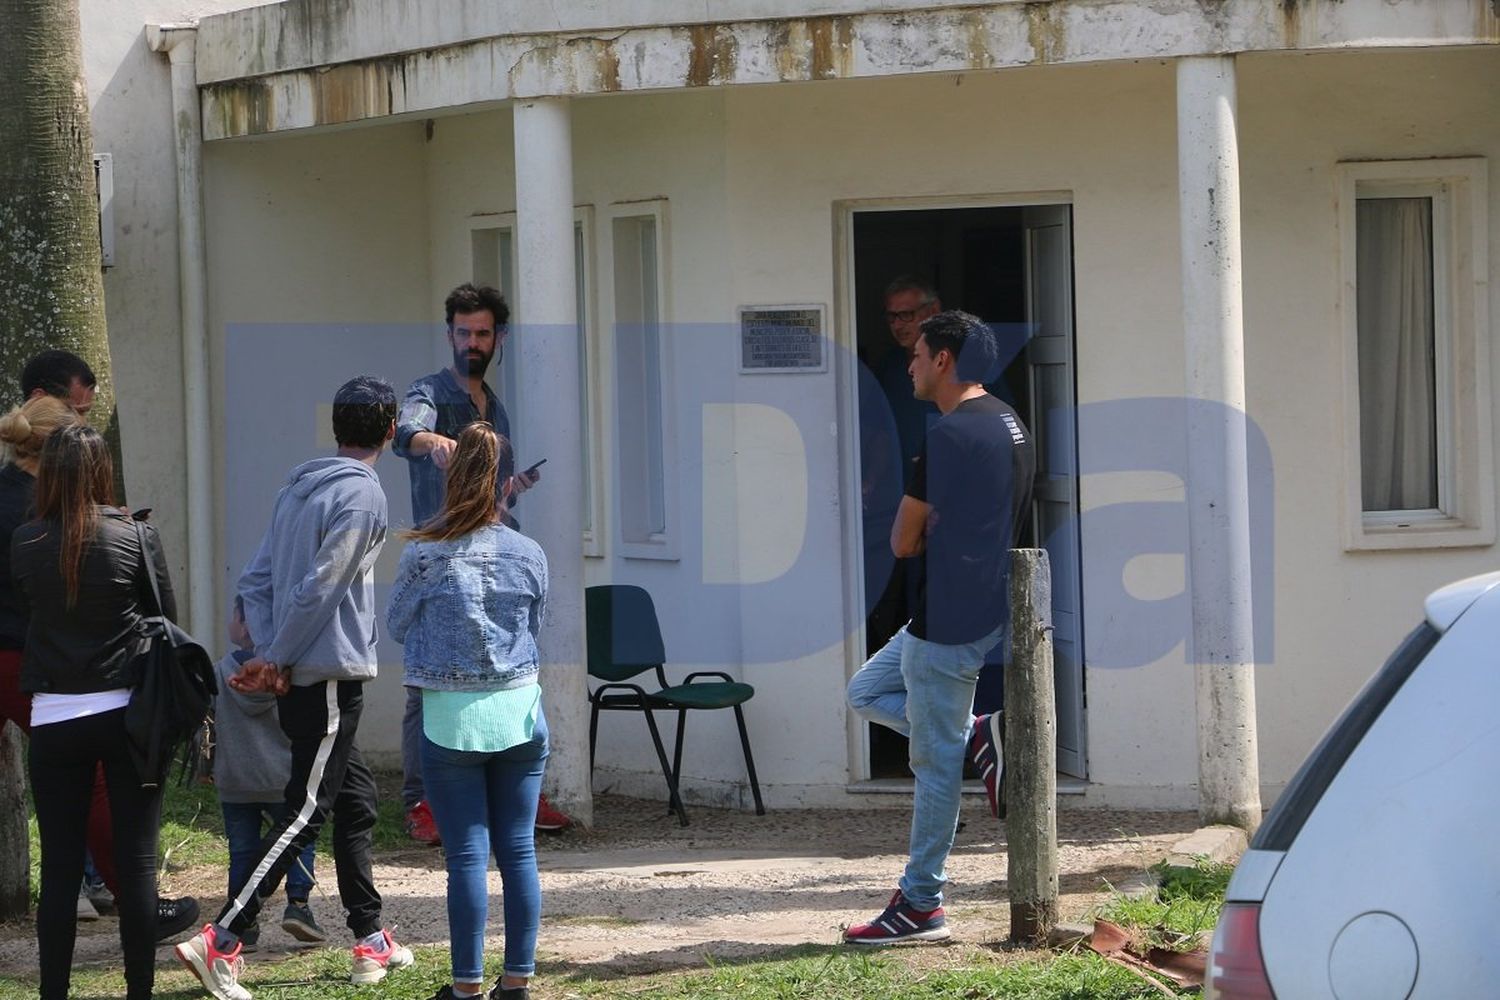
643, 894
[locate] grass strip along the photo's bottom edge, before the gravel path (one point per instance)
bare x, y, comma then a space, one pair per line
806, 974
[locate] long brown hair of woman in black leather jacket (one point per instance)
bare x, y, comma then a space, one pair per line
76, 476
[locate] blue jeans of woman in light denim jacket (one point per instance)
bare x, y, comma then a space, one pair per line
487, 803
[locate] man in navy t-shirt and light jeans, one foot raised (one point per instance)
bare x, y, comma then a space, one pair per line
962, 513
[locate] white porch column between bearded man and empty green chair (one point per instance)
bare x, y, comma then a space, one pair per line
553, 513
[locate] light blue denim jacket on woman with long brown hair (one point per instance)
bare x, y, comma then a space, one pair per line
469, 611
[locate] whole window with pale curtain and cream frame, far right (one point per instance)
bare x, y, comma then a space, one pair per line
1414, 265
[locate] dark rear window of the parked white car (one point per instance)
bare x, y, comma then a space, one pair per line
1328, 758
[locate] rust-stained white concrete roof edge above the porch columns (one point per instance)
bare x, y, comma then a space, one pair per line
311, 64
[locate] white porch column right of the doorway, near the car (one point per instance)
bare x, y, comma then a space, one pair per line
1219, 497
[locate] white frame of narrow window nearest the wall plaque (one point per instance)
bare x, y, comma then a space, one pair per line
668, 543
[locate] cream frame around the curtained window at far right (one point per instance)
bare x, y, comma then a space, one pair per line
1462, 353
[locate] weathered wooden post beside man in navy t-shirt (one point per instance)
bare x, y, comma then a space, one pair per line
1031, 750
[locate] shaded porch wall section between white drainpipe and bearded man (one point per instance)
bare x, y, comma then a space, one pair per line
317, 272
